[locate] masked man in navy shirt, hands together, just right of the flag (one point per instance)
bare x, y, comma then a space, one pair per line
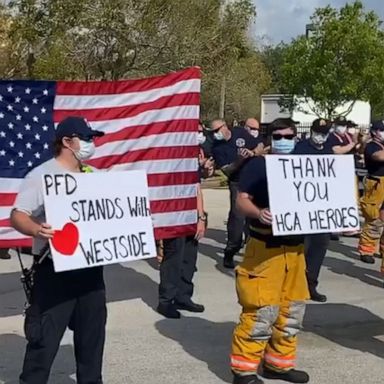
231, 149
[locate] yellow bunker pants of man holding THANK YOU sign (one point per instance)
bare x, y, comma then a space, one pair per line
272, 289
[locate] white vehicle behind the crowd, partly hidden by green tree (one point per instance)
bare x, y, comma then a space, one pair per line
360, 112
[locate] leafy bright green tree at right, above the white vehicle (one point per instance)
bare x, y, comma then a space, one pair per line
341, 61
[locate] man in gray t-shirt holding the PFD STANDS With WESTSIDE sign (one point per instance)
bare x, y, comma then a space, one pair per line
59, 300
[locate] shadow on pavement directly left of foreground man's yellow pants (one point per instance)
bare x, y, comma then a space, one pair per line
204, 340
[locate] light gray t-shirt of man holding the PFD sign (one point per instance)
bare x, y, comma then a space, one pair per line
30, 198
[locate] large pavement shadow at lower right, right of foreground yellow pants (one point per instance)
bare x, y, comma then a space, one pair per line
347, 325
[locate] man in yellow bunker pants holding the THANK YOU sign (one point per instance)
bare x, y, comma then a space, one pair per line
271, 282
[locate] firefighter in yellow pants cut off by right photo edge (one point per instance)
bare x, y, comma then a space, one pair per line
373, 196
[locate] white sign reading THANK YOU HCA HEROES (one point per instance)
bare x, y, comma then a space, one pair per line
312, 194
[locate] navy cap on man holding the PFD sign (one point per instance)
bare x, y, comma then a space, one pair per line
74, 126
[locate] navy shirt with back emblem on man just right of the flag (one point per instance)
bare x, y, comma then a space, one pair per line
226, 152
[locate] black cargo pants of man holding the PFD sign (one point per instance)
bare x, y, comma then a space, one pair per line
75, 298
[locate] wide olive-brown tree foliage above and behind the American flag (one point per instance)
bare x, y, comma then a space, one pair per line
120, 39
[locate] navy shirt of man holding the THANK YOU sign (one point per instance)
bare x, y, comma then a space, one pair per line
253, 181
